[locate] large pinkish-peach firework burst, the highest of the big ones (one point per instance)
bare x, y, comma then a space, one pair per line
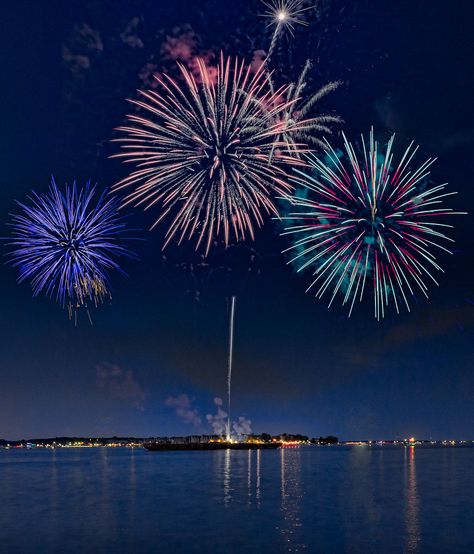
202, 151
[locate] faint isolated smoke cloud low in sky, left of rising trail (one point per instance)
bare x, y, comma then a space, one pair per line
120, 384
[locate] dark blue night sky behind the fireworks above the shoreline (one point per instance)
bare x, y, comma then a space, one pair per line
68, 68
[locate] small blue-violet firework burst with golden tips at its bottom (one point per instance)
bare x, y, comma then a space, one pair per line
66, 244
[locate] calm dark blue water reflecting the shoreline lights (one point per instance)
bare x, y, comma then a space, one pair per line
339, 499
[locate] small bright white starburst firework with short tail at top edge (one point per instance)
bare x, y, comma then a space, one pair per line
283, 15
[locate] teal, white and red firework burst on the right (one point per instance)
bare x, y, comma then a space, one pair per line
366, 221
